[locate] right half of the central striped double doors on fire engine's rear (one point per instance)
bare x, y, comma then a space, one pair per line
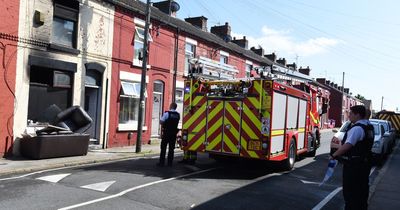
231, 122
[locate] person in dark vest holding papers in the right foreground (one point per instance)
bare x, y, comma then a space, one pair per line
355, 154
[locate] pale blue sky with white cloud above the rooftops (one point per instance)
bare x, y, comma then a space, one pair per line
359, 37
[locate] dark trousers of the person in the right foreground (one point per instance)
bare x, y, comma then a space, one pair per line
356, 185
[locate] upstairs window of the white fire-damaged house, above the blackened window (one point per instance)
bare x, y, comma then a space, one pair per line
65, 19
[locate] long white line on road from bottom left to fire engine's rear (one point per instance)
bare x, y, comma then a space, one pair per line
132, 189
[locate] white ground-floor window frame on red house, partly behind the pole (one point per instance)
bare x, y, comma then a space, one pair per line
126, 78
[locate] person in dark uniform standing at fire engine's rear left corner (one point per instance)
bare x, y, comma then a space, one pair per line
169, 122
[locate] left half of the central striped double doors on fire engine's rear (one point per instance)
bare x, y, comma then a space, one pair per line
215, 115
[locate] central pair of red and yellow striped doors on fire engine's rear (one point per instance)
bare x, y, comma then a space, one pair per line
223, 126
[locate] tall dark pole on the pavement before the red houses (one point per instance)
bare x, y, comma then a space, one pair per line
143, 80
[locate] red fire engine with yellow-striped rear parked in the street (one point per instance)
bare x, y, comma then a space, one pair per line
273, 117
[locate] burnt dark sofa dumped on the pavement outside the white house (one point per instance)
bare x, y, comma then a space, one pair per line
62, 136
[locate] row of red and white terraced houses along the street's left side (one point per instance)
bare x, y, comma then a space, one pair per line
89, 53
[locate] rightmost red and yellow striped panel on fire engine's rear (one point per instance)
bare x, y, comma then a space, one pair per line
251, 122
